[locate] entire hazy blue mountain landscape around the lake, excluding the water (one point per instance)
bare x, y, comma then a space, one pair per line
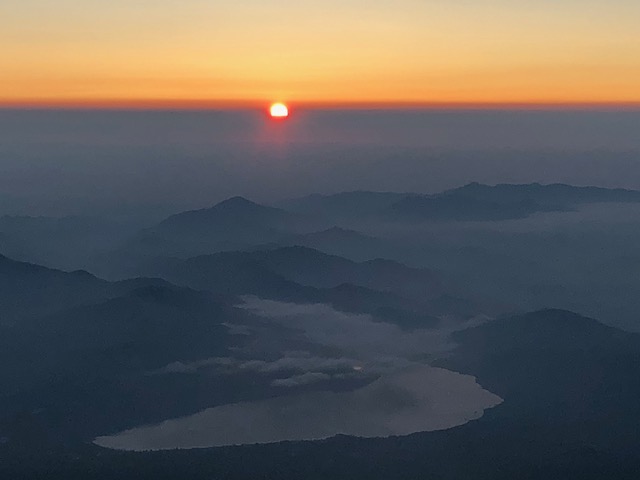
81, 356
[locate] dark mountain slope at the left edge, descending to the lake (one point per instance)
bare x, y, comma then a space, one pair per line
81, 349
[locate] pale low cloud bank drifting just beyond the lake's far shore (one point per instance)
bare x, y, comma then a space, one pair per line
359, 343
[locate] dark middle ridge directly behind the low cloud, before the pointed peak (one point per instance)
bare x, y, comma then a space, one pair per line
387, 289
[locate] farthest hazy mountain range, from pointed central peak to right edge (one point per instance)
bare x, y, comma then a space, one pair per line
326, 222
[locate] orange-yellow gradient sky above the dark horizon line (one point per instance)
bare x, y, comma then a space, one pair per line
319, 51
